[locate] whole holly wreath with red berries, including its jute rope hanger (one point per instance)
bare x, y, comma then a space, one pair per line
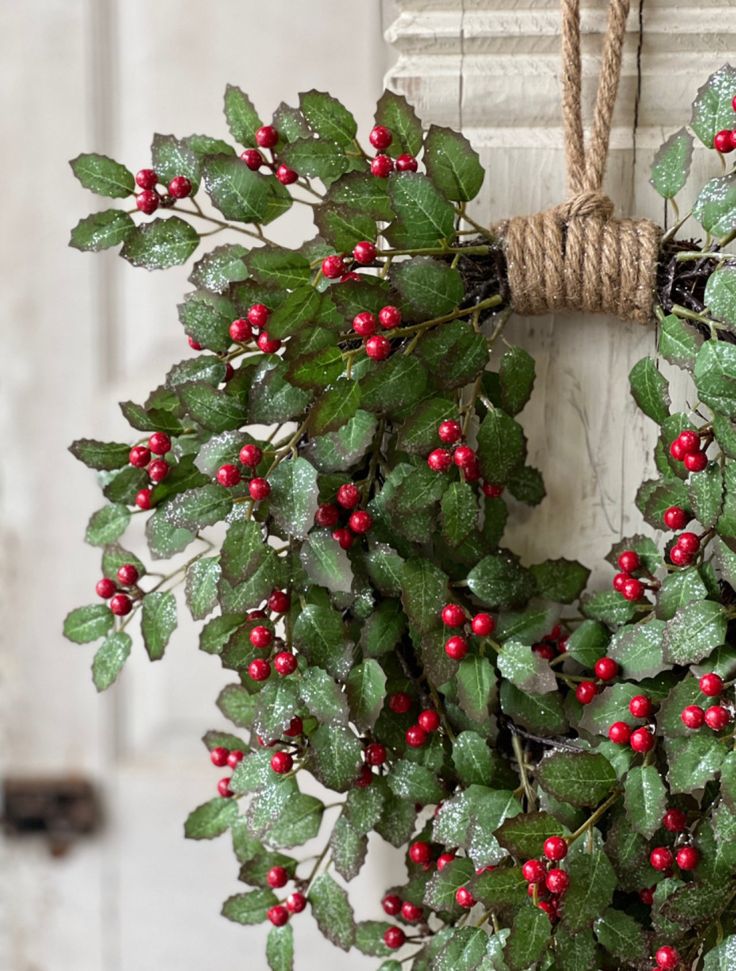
557, 766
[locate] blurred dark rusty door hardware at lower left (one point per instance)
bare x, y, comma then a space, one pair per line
60, 809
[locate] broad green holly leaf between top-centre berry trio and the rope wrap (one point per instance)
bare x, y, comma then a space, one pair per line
424, 216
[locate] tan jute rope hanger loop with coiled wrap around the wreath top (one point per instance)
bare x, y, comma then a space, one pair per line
575, 256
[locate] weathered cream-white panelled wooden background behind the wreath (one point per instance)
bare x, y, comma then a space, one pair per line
81, 333
